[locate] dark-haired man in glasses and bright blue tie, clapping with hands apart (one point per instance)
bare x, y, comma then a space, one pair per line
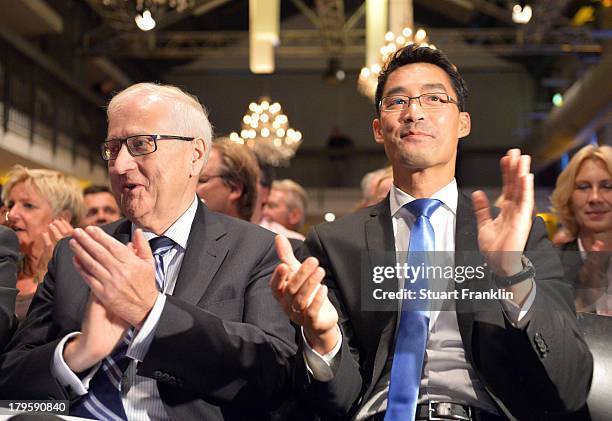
516, 356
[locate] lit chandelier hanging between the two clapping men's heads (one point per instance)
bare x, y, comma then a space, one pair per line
266, 130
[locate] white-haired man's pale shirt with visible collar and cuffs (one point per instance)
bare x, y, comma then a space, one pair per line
139, 394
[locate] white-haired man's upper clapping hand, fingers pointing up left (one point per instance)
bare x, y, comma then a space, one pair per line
121, 276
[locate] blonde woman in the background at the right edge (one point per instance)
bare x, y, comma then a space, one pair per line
582, 200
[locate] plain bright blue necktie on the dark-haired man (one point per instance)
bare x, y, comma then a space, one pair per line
414, 320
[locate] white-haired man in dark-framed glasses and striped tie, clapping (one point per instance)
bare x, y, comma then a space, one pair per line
163, 315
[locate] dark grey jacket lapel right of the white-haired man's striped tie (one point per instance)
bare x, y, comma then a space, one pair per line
204, 254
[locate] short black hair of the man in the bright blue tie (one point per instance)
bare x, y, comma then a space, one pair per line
414, 54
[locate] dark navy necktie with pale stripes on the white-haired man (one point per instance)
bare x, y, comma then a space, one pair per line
103, 400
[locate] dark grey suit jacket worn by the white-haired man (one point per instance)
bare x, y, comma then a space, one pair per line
221, 347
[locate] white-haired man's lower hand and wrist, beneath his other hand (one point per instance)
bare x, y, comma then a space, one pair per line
101, 332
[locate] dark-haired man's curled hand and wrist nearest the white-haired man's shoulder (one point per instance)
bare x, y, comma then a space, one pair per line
303, 297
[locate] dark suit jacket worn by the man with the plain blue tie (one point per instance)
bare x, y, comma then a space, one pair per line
542, 369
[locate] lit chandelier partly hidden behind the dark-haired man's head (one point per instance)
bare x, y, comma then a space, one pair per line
368, 77
